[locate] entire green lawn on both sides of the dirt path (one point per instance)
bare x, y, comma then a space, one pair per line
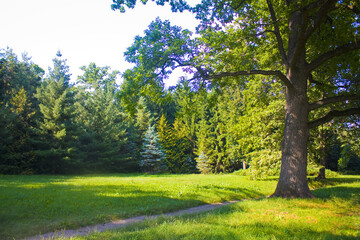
30, 205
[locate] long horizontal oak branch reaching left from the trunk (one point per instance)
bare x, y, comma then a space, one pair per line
279, 74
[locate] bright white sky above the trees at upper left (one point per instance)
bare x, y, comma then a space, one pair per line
83, 30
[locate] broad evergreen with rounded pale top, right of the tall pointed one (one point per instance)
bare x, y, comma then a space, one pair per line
102, 142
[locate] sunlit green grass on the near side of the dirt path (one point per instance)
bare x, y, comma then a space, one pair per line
334, 214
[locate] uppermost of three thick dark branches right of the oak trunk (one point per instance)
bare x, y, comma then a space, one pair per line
334, 53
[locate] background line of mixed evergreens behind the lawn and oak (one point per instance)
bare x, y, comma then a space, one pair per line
53, 124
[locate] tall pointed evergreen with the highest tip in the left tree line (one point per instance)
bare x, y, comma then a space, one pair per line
56, 127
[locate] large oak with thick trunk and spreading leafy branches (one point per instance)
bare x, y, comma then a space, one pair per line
311, 46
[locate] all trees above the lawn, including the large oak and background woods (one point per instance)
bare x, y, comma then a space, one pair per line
236, 113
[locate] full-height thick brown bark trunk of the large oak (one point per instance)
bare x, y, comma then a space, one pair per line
293, 175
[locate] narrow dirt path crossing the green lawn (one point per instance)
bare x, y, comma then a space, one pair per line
121, 223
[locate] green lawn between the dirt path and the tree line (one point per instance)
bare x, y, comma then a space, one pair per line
30, 205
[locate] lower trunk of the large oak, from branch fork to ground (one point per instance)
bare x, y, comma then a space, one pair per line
293, 175
